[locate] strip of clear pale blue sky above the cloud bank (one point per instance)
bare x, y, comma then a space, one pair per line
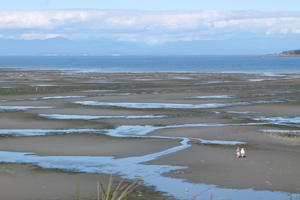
27, 5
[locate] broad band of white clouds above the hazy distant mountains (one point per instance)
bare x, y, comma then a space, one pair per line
148, 26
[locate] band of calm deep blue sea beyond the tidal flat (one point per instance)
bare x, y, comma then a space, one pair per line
156, 63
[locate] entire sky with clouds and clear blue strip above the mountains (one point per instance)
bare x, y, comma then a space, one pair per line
152, 22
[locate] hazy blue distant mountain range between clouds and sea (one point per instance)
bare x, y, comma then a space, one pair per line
62, 46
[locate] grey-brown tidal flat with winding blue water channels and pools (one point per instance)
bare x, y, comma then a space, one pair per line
178, 132
